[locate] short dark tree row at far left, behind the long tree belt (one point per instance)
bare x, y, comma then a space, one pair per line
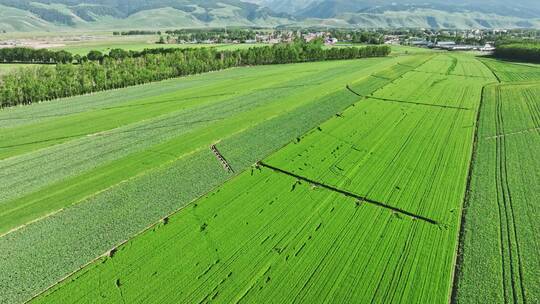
28, 55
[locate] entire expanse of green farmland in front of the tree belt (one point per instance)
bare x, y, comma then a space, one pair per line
406, 179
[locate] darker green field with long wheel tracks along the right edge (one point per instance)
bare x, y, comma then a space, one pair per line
501, 256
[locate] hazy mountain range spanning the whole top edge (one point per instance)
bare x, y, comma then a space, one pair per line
50, 15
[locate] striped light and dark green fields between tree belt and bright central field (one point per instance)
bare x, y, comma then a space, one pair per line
108, 165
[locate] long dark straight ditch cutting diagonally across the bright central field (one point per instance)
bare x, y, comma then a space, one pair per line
349, 194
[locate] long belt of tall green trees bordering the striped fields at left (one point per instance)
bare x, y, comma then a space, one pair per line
29, 85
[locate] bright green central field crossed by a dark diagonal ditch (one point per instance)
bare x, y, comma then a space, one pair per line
364, 207
